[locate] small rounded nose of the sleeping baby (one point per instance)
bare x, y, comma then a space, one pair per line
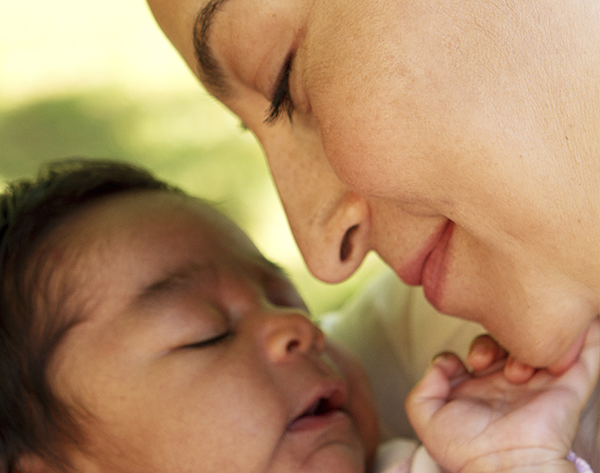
288, 334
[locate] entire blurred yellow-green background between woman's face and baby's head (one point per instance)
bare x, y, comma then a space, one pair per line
97, 78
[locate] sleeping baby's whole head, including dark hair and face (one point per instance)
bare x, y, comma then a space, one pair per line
142, 331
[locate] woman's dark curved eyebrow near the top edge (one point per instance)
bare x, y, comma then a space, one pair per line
209, 69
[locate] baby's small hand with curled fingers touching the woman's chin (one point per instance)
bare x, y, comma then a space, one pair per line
481, 422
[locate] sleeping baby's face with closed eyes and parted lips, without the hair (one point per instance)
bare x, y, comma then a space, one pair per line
193, 353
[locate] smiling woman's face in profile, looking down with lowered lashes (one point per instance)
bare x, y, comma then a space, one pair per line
459, 140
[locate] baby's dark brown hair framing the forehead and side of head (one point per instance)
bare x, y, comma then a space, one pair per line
32, 421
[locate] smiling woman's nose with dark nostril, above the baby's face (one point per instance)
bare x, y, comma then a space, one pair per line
330, 223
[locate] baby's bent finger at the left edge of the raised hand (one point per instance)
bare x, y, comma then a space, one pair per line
431, 393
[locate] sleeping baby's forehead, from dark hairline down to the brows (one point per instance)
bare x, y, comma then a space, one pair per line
120, 246
